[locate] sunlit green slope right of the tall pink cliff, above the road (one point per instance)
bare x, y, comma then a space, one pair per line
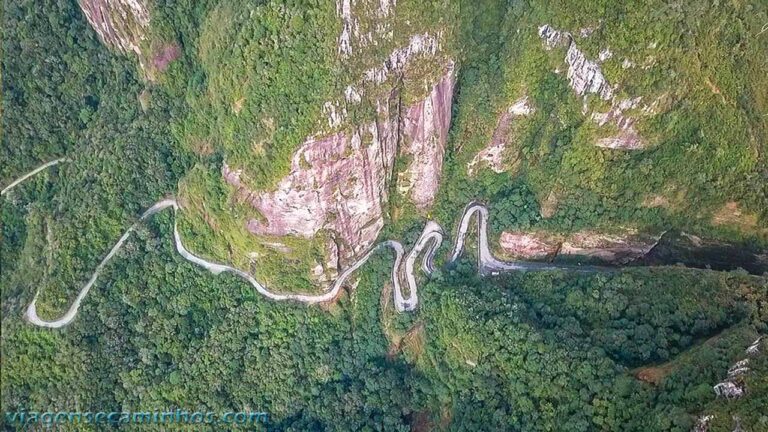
701, 66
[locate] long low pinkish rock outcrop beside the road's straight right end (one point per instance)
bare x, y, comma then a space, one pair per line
610, 248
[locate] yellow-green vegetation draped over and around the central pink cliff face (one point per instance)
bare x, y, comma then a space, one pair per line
259, 77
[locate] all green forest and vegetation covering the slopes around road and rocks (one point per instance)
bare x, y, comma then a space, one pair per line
633, 350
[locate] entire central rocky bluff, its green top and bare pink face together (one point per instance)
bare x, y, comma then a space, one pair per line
377, 125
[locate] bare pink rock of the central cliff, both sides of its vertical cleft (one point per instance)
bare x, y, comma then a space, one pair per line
340, 182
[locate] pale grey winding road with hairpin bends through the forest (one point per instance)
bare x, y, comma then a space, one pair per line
427, 244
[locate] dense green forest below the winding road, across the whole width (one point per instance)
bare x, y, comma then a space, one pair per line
521, 353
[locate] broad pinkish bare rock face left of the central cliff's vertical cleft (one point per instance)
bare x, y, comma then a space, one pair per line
337, 182
